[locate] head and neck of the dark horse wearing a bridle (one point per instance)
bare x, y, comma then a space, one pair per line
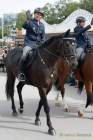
62, 46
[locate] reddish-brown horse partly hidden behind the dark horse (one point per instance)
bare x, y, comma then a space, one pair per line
84, 75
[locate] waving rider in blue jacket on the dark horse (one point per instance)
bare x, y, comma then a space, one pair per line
35, 35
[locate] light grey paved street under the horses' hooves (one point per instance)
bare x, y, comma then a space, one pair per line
68, 126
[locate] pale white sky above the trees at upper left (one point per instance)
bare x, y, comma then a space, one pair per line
14, 6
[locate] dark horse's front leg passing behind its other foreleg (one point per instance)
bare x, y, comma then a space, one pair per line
37, 120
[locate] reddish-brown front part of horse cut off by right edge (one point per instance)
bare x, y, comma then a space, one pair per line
84, 74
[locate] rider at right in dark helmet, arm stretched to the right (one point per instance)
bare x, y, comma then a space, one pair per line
82, 39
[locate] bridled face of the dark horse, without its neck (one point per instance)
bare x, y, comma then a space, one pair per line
68, 51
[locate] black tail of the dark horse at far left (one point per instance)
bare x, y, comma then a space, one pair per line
10, 84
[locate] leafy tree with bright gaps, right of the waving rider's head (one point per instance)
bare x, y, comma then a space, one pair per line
56, 13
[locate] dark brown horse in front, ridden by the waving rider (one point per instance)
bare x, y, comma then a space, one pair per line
38, 73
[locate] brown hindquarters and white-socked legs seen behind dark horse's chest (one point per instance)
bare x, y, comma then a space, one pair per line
63, 70
